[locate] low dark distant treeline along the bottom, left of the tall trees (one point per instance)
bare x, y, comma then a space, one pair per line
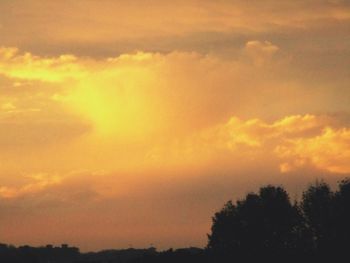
66, 254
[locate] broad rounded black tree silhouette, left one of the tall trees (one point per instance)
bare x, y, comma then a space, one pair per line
264, 224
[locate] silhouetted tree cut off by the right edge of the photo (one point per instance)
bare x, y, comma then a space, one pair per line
327, 217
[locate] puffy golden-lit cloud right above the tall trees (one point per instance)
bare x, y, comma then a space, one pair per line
303, 140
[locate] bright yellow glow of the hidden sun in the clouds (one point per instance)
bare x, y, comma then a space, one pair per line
114, 101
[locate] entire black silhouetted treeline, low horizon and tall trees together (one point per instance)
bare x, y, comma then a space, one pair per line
262, 227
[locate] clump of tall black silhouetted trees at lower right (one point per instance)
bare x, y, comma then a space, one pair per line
268, 226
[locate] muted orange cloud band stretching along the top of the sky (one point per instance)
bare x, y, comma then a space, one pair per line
113, 22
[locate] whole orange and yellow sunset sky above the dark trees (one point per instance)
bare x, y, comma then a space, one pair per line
130, 123
